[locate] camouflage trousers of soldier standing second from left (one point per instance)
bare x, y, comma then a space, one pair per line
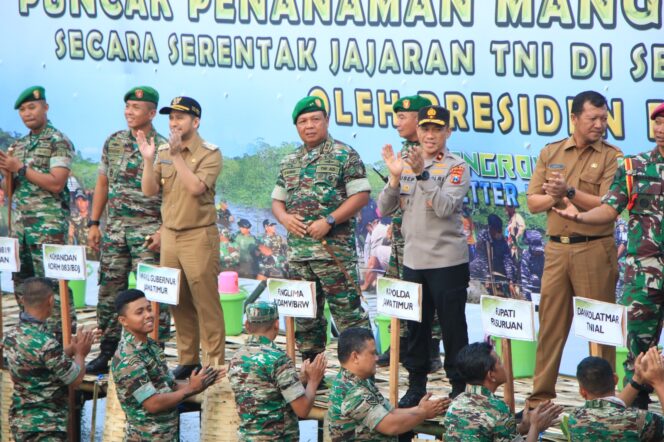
121, 250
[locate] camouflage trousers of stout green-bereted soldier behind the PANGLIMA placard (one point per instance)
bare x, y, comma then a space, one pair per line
343, 299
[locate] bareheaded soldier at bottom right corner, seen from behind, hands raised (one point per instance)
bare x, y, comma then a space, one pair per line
606, 417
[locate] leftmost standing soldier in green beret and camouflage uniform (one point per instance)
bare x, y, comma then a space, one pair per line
40, 167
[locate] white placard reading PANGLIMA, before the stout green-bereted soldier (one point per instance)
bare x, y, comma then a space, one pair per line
296, 299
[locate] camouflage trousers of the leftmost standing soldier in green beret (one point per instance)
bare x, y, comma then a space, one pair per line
32, 264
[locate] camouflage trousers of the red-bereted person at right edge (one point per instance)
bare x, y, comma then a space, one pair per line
645, 310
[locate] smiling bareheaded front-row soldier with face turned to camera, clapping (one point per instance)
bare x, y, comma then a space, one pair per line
146, 389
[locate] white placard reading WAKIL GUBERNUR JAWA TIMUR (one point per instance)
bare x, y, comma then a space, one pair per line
160, 284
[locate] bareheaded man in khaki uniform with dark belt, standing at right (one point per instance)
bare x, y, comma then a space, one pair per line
580, 260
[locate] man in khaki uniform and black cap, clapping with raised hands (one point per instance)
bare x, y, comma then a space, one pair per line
186, 170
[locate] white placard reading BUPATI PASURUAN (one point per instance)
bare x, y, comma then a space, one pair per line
508, 318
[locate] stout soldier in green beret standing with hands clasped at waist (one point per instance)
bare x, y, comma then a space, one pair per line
320, 188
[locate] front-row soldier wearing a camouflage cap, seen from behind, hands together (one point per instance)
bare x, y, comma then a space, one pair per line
269, 394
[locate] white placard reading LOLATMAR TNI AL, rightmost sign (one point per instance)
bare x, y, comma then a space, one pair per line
600, 322
